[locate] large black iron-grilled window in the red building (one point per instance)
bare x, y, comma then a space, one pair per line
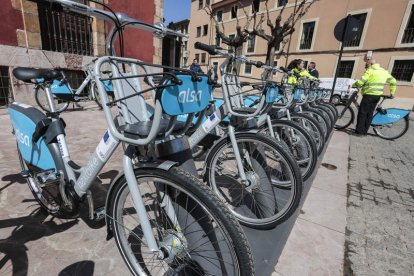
64, 31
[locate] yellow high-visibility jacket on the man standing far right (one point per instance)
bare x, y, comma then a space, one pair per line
374, 80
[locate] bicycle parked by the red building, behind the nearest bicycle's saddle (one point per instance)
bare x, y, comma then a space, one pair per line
64, 94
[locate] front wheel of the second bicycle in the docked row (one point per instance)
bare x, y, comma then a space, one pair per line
274, 191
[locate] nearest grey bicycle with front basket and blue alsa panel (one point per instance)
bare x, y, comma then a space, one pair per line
163, 219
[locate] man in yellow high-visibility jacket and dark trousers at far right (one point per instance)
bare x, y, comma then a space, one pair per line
372, 87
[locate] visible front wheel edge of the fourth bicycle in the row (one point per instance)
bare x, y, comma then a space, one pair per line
312, 126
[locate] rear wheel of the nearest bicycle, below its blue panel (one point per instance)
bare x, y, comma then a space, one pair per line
48, 196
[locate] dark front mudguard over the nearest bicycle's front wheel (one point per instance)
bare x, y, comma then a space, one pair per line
163, 165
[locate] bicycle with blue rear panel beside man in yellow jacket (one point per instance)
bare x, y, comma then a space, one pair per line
388, 123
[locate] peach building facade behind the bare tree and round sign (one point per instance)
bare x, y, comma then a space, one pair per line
388, 31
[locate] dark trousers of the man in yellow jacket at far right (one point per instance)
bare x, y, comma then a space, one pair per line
365, 113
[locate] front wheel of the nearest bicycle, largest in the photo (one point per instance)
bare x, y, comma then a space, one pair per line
183, 189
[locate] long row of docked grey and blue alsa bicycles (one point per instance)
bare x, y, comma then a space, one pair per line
258, 144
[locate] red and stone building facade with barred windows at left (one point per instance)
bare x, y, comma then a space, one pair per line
44, 36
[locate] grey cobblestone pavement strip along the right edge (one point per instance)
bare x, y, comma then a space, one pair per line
380, 222
